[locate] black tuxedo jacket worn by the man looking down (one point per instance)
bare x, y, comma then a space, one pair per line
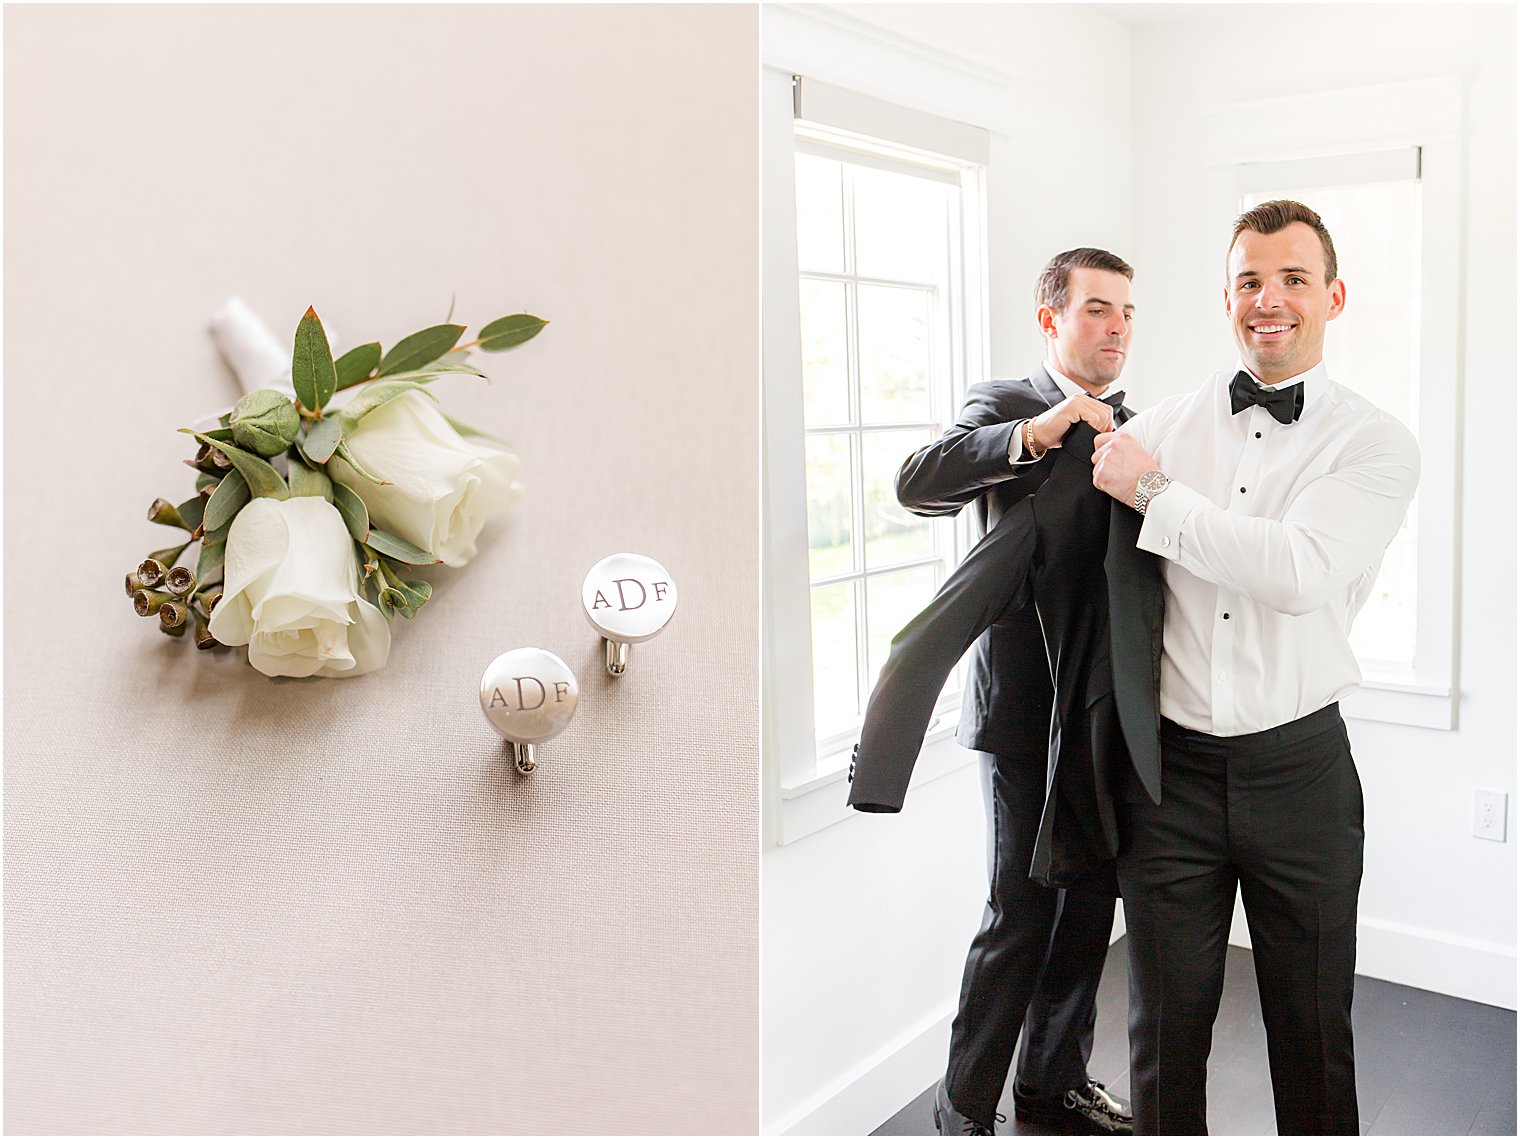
1007, 703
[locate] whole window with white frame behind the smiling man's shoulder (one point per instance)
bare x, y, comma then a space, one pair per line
1382, 165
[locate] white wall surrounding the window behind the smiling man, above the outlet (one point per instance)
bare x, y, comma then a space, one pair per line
1439, 906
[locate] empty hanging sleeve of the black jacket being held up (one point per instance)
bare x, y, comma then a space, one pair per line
983, 588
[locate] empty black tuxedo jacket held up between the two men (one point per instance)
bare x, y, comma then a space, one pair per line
1069, 548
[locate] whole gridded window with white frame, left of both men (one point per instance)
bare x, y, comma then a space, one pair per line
873, 296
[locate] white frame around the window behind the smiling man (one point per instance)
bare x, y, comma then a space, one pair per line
1360, 128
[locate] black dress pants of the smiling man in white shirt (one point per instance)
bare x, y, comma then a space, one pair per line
1278, 813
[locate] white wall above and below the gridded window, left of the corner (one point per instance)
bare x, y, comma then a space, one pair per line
866, 925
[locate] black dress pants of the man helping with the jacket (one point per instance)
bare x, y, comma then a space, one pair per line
1034, 965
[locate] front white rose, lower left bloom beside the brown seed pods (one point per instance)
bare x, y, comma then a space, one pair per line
291, 594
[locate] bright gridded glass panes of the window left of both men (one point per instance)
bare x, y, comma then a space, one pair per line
879, 299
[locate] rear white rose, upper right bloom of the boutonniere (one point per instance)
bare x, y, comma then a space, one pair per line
443, 487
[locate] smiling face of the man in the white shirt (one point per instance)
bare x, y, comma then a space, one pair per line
1279, 300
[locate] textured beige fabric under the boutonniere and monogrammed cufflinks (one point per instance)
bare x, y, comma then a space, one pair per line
247, 906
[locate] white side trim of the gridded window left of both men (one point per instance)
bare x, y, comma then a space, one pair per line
802, 793
